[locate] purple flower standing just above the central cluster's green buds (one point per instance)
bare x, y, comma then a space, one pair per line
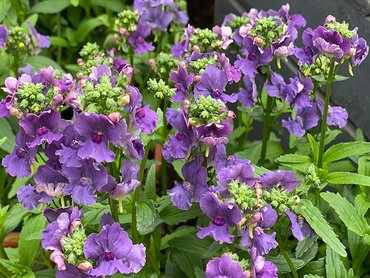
213, 83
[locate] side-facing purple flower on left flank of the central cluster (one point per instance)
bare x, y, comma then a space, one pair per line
178, 145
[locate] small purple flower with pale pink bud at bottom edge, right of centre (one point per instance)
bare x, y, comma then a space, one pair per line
262, 268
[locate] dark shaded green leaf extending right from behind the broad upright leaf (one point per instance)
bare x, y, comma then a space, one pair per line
172, 215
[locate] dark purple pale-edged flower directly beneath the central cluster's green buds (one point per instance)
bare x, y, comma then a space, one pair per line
214, 134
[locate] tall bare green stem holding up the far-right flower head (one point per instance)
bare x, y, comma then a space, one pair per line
324, 124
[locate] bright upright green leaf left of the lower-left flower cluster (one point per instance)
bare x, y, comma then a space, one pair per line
28, 248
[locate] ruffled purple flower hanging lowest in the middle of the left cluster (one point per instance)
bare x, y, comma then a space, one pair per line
85, 181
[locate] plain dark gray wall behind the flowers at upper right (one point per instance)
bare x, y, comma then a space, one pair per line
353, 94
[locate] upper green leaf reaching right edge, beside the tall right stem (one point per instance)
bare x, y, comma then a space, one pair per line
343, 150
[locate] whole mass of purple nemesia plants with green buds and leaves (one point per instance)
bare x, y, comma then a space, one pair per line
86, 151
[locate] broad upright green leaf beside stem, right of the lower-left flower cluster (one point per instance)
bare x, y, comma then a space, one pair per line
147, 217
